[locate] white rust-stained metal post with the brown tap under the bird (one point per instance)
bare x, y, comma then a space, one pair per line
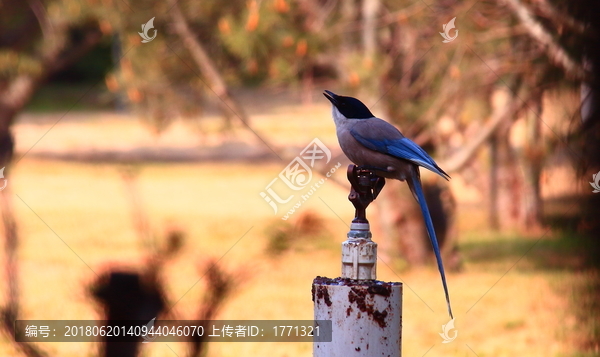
366, 314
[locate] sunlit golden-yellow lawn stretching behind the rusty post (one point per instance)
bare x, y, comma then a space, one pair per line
74, 220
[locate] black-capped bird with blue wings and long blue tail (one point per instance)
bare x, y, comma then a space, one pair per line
374, 144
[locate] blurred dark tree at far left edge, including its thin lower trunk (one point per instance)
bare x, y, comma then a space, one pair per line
37, 40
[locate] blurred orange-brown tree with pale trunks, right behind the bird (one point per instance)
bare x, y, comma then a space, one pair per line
499, 68
